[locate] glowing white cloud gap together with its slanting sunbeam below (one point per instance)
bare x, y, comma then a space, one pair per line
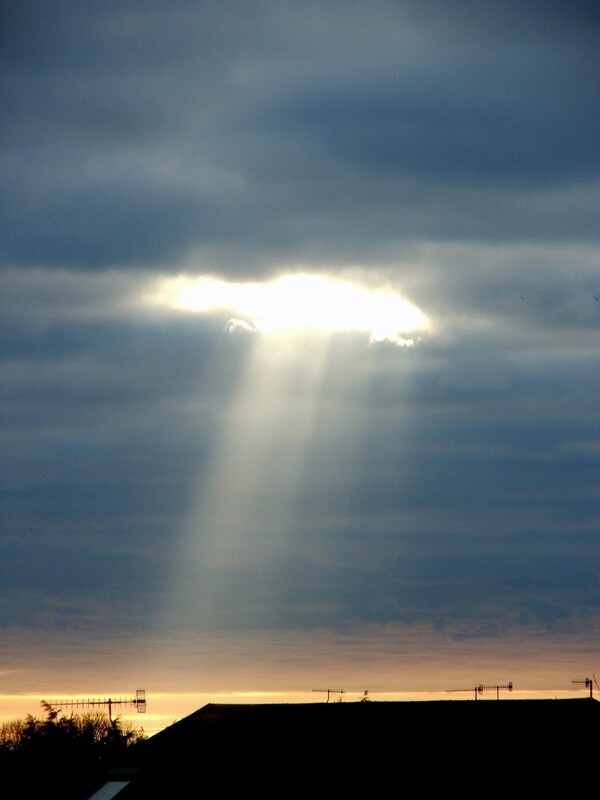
230, 558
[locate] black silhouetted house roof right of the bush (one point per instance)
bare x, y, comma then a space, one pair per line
370, 749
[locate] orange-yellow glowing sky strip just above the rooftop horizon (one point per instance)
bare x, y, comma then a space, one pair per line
182, 674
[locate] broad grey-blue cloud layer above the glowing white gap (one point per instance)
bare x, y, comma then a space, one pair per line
140, 132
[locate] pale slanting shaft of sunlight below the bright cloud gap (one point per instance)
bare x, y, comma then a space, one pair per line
240, 523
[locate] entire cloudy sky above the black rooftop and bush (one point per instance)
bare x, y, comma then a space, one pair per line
299, 350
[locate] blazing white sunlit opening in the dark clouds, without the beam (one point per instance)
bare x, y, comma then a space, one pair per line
299, 302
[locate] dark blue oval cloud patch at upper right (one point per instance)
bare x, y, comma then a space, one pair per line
510, 137
